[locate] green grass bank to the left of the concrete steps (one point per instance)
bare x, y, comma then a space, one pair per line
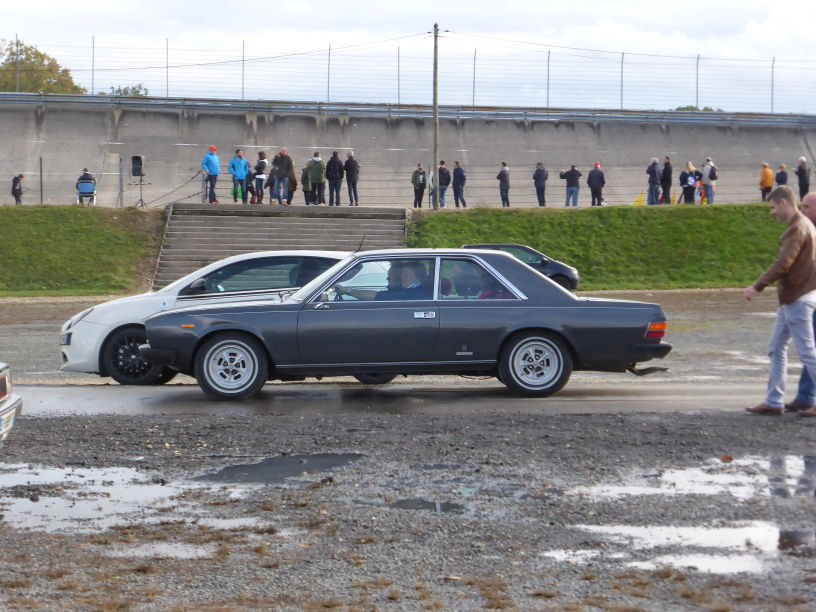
71, 250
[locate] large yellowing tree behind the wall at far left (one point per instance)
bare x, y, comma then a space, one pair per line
25, 68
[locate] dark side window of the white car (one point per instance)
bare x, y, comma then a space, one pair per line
254, 275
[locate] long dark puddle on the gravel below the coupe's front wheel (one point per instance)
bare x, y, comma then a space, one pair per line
278, 469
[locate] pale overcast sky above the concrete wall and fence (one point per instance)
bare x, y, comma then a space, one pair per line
133, 33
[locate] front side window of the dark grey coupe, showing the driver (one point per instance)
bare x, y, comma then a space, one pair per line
384, 280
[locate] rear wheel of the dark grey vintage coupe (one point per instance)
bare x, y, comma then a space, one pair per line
536, 364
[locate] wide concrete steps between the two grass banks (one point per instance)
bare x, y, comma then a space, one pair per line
199, 234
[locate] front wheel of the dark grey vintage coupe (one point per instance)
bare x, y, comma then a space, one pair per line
231, 366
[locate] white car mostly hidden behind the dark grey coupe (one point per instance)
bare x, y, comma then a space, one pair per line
105, 339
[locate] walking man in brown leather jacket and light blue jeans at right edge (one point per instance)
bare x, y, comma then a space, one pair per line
794, 272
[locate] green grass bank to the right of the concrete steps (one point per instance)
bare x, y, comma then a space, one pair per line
625, 247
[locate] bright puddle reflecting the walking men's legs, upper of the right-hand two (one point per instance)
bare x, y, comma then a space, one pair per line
742, 478
